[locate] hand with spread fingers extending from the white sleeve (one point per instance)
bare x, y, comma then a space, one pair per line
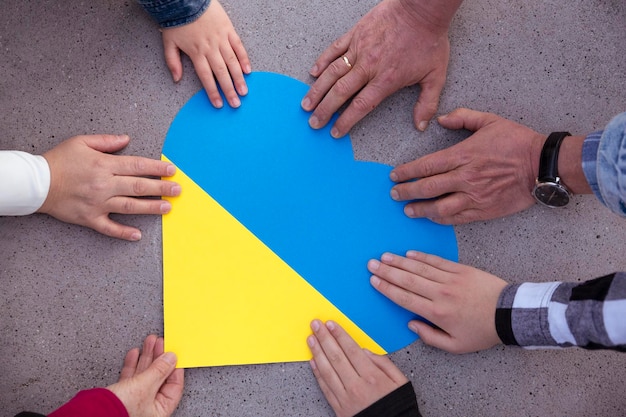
87, 184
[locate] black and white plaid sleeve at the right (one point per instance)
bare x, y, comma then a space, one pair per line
590, 315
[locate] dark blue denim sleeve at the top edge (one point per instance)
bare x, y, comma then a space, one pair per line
171, 13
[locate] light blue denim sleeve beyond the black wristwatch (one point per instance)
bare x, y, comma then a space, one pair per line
604, 164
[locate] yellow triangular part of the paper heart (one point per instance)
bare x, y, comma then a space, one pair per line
228, 298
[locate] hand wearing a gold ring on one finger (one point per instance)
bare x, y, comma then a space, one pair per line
397, 44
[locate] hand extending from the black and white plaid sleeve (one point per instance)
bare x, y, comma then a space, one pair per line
458, 299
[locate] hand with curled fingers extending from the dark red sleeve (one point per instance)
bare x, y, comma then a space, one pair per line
149, 384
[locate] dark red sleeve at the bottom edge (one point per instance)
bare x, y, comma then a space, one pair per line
97, 402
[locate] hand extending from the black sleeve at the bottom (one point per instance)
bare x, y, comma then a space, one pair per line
351, 378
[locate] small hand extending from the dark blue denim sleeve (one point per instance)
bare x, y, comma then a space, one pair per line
216, 52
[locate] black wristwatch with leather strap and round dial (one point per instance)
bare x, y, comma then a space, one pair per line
549, 190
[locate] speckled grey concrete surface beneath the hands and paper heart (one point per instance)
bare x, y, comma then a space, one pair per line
73, 301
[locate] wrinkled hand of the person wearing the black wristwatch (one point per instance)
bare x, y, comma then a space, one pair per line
491, 174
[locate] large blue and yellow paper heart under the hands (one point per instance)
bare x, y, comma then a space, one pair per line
274, 228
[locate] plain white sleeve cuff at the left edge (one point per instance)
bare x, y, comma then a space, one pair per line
24, 182
